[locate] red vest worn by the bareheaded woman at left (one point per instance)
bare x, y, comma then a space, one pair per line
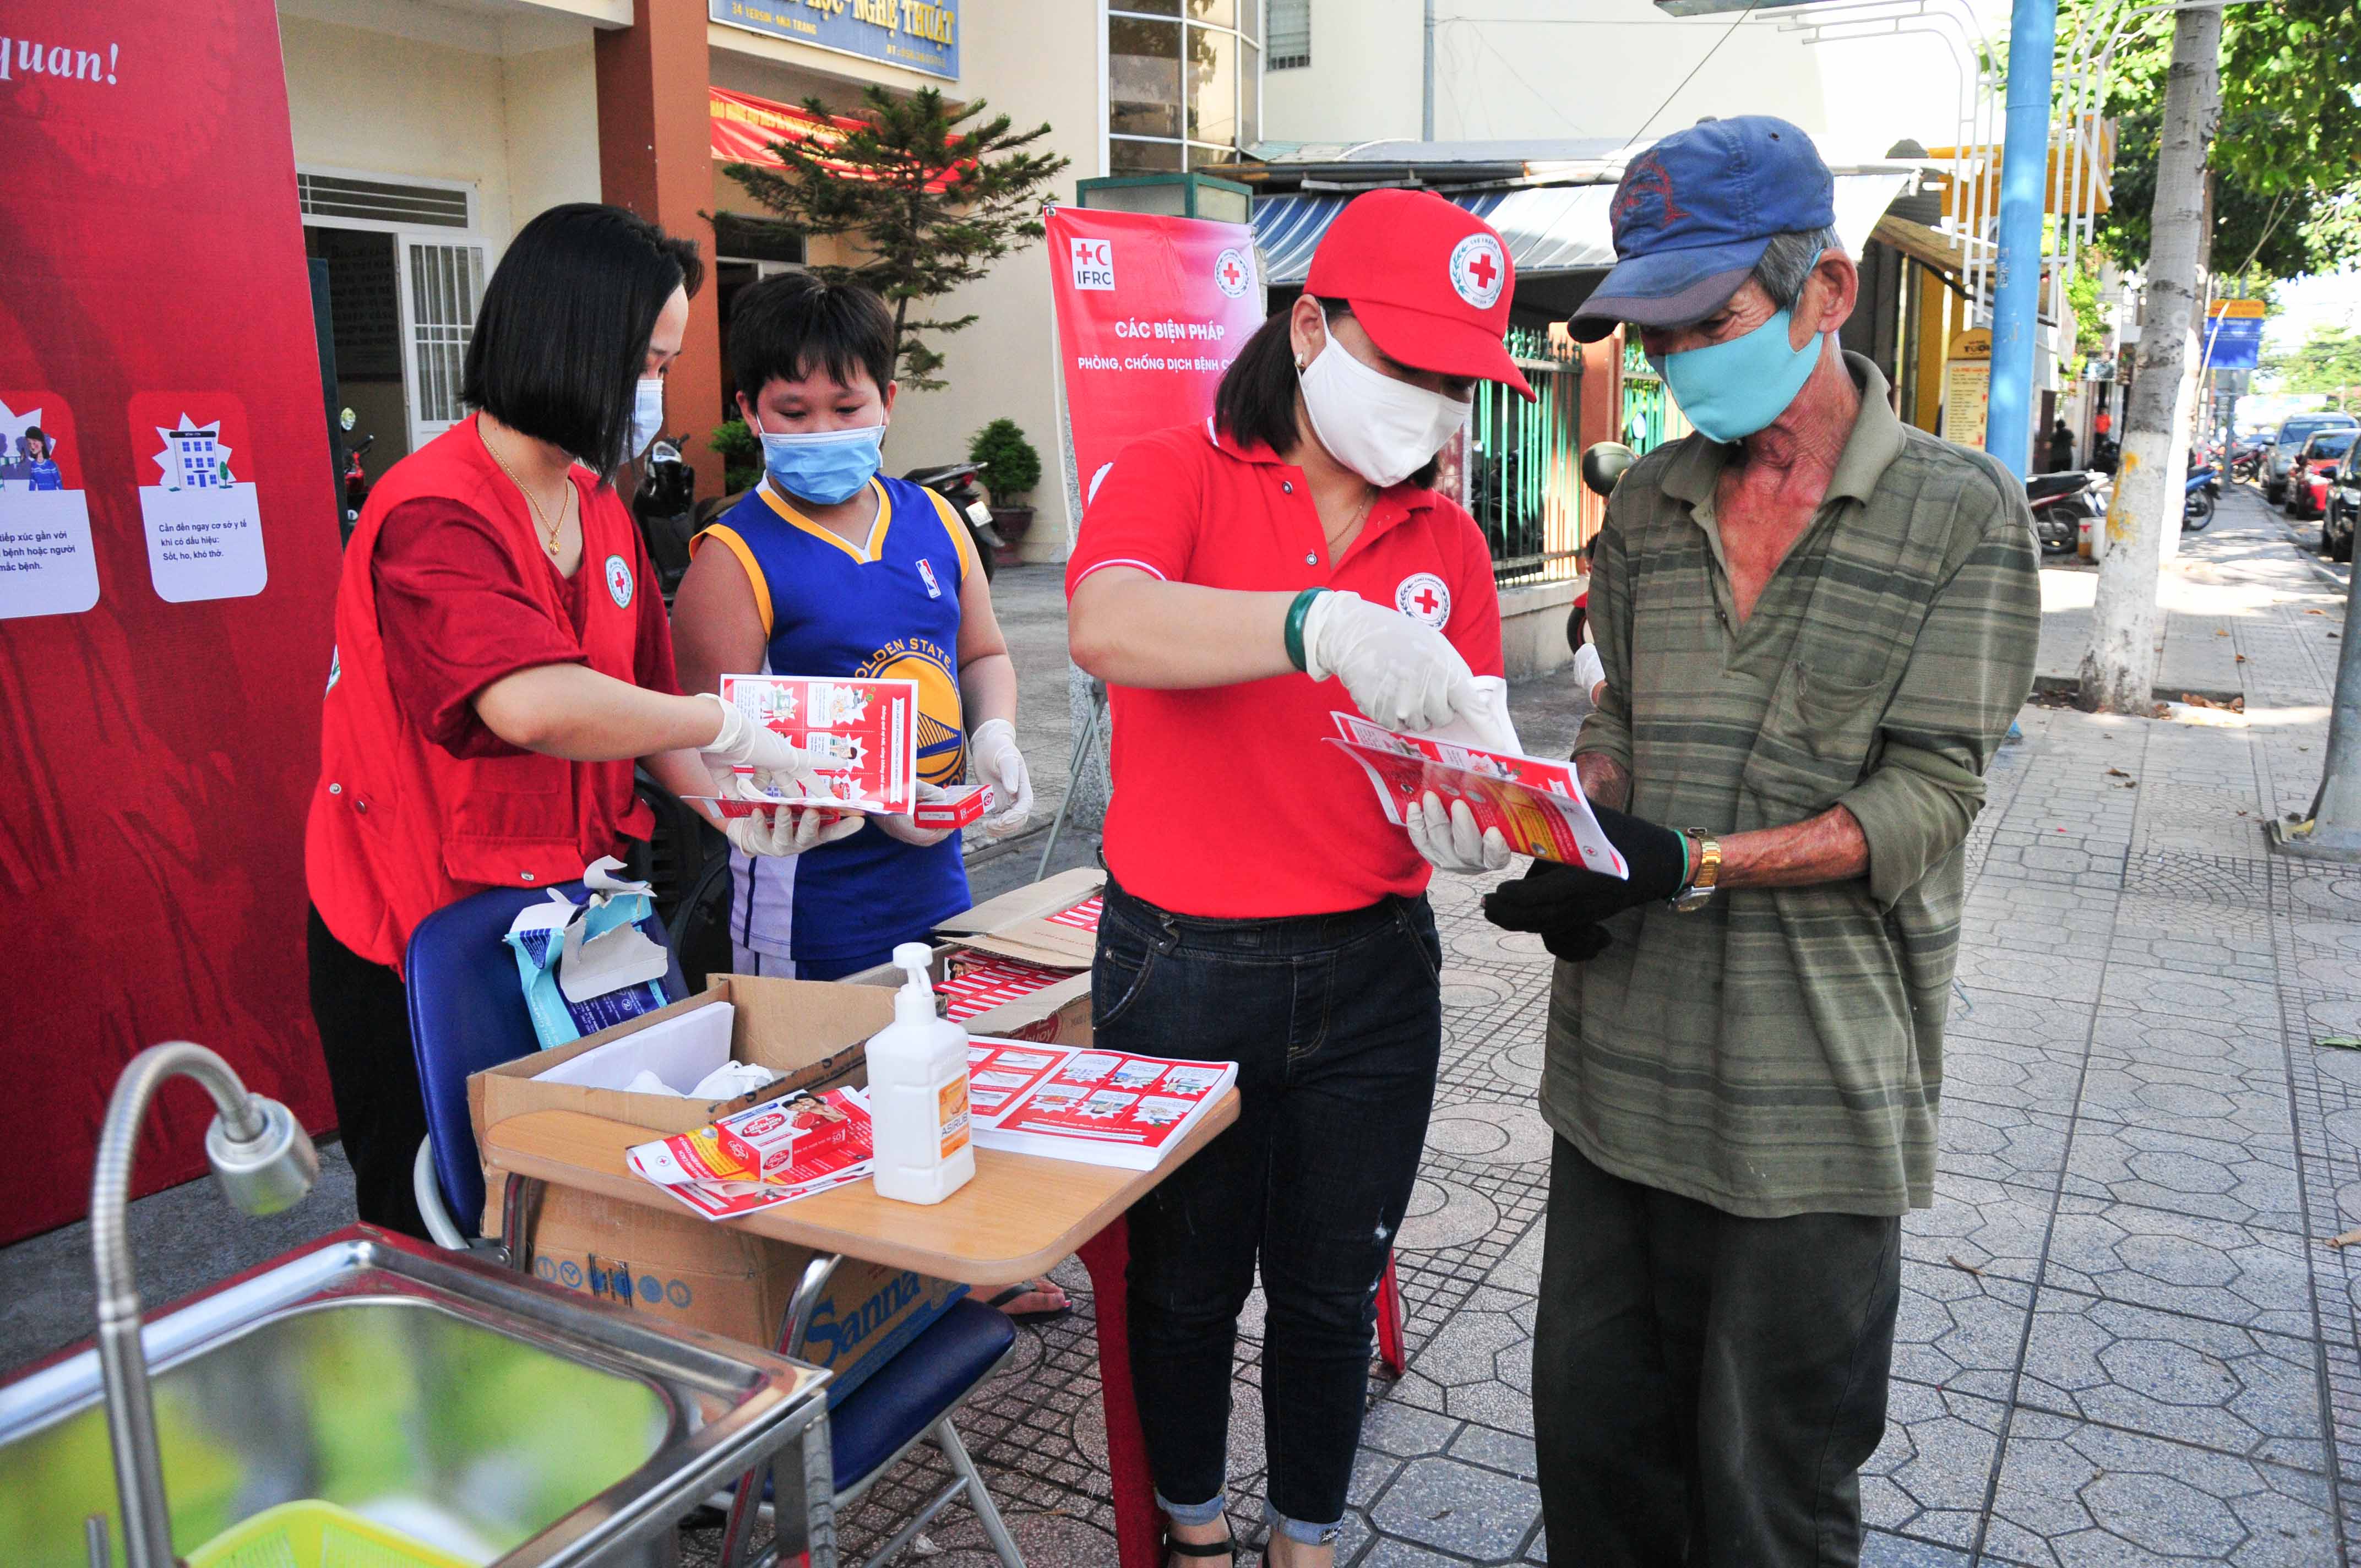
400, 828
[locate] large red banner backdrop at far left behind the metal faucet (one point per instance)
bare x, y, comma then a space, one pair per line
166, 573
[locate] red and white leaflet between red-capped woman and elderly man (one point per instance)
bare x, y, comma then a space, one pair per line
1536, 804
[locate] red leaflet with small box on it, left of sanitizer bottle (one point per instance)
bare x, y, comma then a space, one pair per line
764, 1156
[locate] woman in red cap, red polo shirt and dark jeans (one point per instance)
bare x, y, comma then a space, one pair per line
1260, 903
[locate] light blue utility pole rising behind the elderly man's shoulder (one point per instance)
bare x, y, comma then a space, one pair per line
2025, 181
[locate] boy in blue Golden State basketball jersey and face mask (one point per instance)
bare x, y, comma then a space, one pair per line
835, 570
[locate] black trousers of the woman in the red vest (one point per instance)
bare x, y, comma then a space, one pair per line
365, 1031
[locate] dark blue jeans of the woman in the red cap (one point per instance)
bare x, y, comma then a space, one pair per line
1338, 1026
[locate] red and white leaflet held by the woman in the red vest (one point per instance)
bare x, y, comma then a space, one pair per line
865, 736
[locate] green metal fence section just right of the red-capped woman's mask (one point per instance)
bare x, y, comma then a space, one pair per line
1524, 464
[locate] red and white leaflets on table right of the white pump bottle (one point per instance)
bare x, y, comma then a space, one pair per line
1111, 1109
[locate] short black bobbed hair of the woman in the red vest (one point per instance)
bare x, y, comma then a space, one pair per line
563, 332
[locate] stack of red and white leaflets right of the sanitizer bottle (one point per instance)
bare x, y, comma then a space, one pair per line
1090, 1106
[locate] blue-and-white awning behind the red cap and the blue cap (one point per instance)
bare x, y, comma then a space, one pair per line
1550, 230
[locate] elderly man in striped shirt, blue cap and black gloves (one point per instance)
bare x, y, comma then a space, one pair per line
1817, 627
